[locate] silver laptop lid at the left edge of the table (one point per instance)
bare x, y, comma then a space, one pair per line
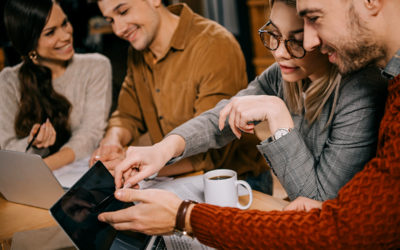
26, 179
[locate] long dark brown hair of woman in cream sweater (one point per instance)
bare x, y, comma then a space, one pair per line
24, 21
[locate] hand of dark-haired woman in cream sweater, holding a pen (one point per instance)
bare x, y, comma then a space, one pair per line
46, 136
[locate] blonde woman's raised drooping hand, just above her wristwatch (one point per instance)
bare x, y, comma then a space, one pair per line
244, 110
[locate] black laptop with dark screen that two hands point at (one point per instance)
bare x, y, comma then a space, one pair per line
77, 210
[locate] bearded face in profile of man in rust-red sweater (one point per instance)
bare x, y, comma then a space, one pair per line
337, 29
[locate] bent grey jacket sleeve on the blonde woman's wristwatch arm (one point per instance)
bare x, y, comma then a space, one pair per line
351, 141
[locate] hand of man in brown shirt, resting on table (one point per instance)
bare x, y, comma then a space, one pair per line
111, 154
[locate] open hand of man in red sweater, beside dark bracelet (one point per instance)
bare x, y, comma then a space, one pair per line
154, 215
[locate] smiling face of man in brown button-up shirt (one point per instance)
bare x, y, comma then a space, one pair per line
136, 21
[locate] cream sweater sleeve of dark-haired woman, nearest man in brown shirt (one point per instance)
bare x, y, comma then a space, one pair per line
97, 102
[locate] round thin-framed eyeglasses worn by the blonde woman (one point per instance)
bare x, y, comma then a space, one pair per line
272, 41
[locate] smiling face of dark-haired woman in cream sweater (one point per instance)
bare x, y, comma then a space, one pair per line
55, 41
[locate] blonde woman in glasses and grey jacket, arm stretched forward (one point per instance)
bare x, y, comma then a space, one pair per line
323, 126
